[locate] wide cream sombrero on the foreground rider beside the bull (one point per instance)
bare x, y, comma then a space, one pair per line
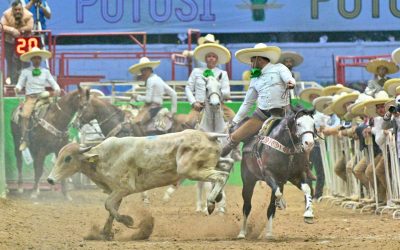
271, 52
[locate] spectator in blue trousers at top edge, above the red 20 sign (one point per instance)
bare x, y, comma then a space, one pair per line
44, 12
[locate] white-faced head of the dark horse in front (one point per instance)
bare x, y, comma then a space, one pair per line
301, 125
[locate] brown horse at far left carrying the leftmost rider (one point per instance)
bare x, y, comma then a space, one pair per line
47, 134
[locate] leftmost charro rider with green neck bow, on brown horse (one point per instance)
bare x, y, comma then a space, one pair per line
34, 79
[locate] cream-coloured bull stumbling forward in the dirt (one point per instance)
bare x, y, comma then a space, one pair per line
123, 166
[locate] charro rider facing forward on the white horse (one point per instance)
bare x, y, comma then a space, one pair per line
212, 54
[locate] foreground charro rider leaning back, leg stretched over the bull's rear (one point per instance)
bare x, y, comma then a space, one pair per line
268, 86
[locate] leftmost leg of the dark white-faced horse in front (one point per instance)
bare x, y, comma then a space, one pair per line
249, 182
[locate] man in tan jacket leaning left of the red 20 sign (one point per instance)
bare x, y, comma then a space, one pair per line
15, 21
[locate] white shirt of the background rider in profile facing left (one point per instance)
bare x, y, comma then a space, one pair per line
155, 90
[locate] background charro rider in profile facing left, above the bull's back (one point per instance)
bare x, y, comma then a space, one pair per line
155, 89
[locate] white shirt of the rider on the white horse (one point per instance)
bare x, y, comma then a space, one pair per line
196, 88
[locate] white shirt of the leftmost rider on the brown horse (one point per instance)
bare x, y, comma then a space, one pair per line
36, 84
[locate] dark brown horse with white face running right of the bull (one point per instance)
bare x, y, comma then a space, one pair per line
277, 158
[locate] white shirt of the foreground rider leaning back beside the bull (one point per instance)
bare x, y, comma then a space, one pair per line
267, 89
